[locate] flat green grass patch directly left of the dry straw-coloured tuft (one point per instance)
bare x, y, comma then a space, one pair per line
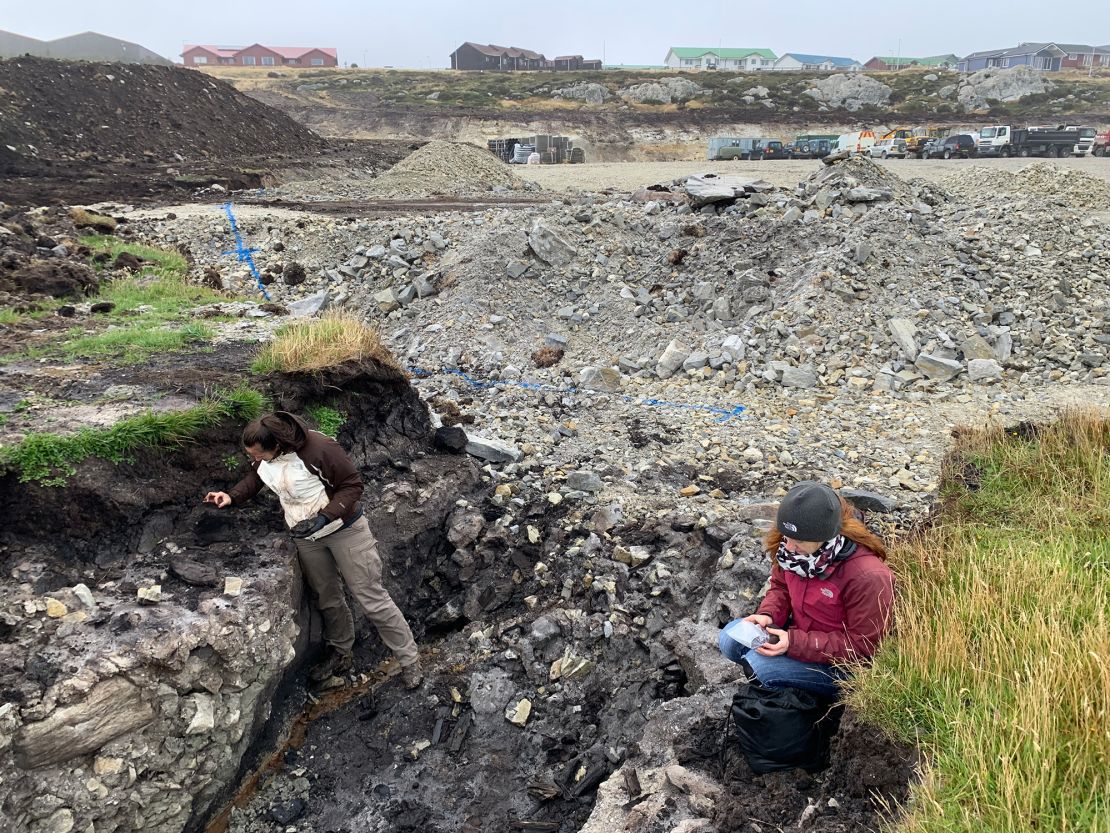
126, 346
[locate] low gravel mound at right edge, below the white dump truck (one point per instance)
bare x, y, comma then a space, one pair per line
1043, 180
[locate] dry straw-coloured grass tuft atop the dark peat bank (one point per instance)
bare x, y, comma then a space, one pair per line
319, 344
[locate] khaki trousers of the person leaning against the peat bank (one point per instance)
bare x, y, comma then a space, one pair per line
352, 554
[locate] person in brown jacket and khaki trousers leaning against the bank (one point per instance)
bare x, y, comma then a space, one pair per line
320, 491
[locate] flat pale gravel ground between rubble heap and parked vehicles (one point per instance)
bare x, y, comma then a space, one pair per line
631, 176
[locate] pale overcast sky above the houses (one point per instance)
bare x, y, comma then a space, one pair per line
425, 33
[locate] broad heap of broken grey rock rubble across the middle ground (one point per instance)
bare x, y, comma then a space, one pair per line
855, 280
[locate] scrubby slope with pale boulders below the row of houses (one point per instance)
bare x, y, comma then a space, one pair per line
915, 95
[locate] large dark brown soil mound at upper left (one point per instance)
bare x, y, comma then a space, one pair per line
65, 111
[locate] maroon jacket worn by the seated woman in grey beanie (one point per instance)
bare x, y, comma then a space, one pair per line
842, 617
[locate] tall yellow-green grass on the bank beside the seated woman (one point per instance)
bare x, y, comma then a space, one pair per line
1001, 665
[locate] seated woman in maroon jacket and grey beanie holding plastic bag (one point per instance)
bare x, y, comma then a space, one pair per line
830, 600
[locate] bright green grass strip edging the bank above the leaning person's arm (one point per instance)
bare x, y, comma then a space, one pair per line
53, 459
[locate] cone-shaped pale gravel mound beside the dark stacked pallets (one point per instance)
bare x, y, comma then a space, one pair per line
448, 168
